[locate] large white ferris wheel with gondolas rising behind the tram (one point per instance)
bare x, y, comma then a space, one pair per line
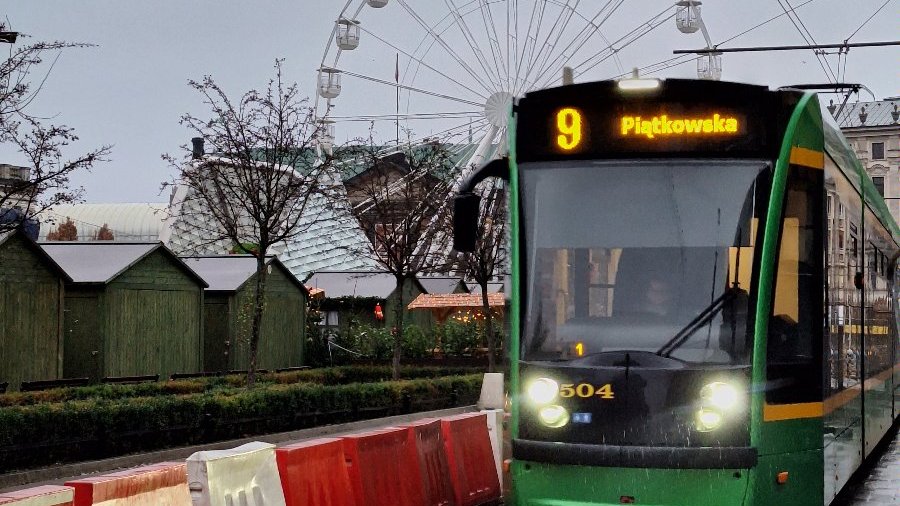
448, 70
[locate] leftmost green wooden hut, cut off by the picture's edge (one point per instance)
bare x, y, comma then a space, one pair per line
32, 287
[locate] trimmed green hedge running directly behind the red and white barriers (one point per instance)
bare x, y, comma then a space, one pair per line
43, 434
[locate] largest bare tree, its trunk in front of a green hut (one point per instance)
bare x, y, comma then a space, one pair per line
256, 189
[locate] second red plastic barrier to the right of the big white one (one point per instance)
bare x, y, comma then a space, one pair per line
382, 469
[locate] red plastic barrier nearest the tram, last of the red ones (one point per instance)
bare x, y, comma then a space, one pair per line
471, 459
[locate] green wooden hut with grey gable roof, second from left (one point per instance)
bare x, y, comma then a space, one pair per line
132, 309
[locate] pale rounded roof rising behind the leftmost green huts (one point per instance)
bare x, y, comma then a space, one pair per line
127, 222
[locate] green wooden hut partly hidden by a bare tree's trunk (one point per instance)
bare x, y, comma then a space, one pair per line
228, 306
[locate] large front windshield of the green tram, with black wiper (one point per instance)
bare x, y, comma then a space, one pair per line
640, 257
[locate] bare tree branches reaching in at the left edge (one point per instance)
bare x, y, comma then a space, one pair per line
45, 181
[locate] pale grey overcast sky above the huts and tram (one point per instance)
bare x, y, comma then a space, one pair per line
131, 88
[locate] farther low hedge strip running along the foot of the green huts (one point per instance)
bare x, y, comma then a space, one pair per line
325, 376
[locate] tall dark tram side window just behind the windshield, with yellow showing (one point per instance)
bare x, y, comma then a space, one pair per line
795, 324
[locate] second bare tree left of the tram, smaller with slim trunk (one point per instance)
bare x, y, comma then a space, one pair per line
397, 198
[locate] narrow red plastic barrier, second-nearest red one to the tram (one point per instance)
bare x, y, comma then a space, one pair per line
427, 443
